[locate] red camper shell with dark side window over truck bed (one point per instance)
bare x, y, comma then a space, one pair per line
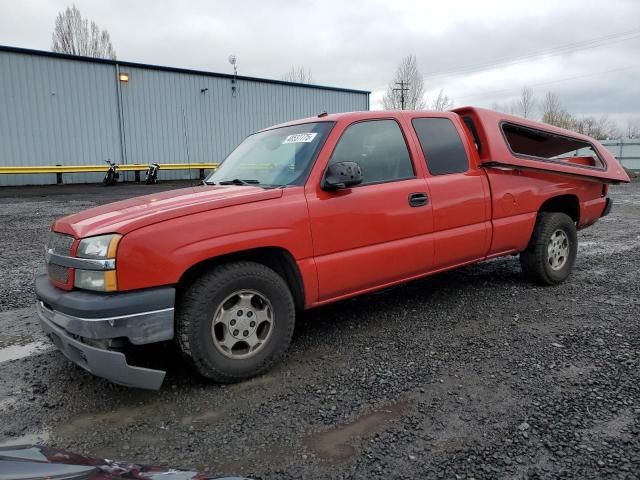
523, 144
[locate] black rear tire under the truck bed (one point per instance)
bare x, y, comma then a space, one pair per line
535, 260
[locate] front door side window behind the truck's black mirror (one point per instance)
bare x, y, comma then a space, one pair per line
379, 148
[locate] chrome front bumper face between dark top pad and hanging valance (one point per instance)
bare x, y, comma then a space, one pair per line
139, 328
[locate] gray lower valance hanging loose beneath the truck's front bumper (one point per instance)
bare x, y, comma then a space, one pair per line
103, 363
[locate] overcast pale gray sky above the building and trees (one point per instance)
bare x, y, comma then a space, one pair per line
479, 52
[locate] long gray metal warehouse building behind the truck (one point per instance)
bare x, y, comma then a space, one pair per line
66, 110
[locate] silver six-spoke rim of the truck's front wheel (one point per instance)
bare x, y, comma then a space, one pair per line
242, 324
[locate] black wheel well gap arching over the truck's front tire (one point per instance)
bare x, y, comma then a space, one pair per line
277, 259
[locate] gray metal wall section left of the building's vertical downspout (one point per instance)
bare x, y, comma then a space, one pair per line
56, 111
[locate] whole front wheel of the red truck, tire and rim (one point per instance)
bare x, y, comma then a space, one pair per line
234, 322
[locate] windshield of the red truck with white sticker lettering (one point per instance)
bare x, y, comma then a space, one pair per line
277, 157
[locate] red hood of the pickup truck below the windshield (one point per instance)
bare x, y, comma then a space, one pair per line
128, 215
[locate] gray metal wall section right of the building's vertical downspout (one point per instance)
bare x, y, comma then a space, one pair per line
166, 114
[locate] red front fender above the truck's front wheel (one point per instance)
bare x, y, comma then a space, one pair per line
159, 254
